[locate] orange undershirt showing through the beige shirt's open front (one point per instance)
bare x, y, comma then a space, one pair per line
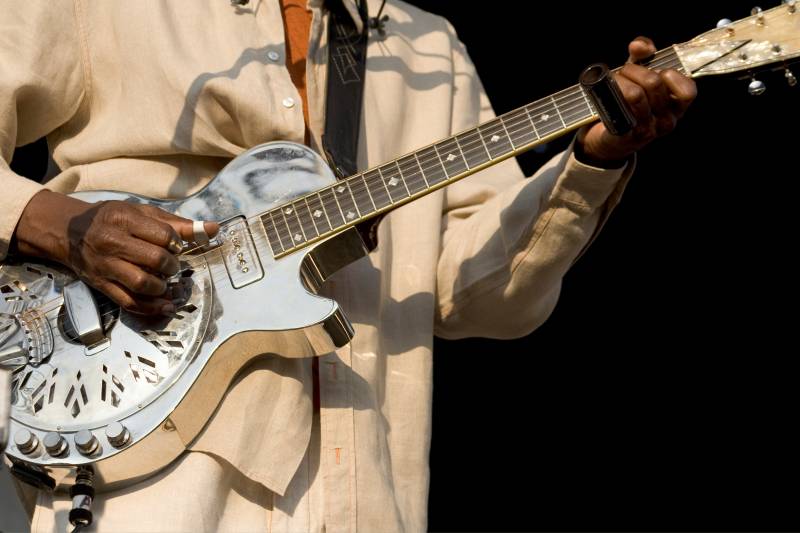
296, 28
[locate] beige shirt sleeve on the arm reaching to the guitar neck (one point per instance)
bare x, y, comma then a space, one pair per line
509, 240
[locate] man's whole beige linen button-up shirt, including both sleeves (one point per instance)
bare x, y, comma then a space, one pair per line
155, 97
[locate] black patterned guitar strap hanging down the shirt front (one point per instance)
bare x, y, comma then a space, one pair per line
347, 61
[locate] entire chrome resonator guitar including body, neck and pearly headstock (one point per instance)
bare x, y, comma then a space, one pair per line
96, 386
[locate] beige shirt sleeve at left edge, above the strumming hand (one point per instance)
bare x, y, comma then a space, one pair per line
42, 84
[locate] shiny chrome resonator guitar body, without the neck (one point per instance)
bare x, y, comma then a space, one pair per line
94, 385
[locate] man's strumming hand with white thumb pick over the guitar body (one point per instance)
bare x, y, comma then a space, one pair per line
124, 250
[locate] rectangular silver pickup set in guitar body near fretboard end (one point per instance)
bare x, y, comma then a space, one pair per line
239, 253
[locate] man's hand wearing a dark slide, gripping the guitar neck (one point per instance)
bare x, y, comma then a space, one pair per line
657, 100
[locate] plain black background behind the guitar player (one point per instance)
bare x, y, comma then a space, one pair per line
659, 395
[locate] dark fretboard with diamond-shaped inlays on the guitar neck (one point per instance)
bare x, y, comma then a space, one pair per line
348, 202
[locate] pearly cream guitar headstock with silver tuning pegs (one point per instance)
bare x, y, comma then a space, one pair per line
766, 39
